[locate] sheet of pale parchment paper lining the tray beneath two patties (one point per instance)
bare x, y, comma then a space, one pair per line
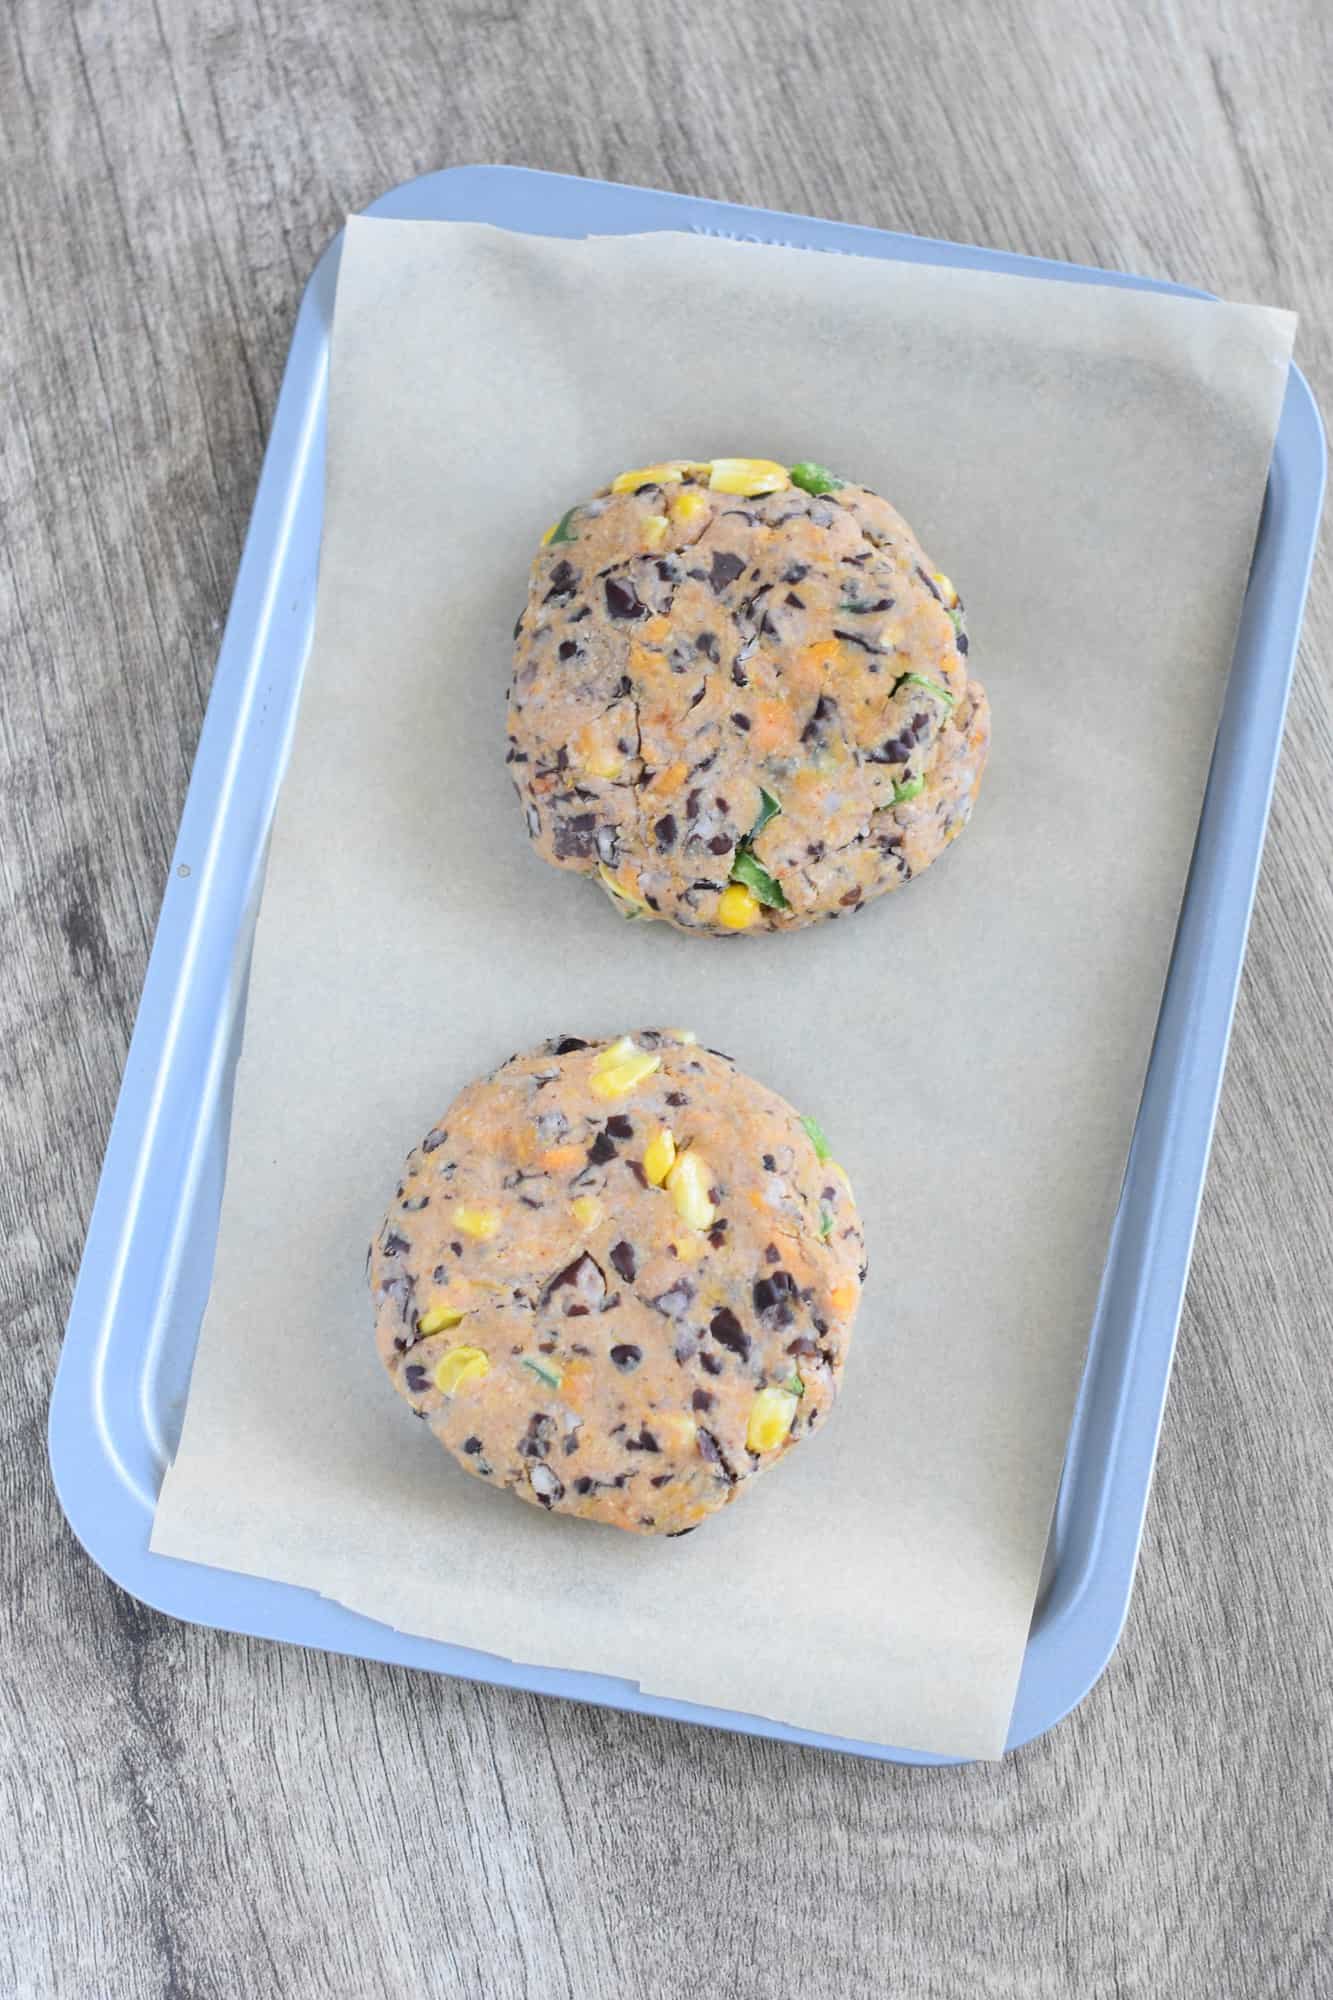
1088, 465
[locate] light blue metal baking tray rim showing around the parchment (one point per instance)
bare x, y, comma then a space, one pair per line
145, 1275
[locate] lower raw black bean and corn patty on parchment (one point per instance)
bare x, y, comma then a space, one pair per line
619, 1279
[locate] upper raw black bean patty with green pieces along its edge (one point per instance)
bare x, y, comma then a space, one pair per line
742, 697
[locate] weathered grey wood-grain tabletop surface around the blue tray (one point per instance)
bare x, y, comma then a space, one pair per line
191, 1815
